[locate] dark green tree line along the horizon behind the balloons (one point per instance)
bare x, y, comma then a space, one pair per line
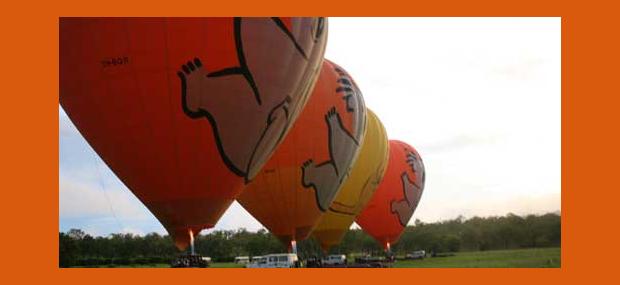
478, 233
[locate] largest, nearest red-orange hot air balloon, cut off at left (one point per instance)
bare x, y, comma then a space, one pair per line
187, 110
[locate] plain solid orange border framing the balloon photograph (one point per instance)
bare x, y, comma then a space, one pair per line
30, 208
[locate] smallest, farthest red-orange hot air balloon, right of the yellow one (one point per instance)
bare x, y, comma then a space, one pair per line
388, 212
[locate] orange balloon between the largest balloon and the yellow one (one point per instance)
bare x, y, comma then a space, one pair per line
304, 175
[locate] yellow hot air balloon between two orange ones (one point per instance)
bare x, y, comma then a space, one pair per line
357, 190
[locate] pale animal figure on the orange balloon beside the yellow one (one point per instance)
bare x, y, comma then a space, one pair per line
327, 176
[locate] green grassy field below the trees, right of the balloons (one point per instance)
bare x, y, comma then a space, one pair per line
536, 257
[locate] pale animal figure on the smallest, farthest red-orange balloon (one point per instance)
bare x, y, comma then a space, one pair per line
413, 189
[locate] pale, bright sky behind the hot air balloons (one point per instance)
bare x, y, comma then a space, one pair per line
479, 98
